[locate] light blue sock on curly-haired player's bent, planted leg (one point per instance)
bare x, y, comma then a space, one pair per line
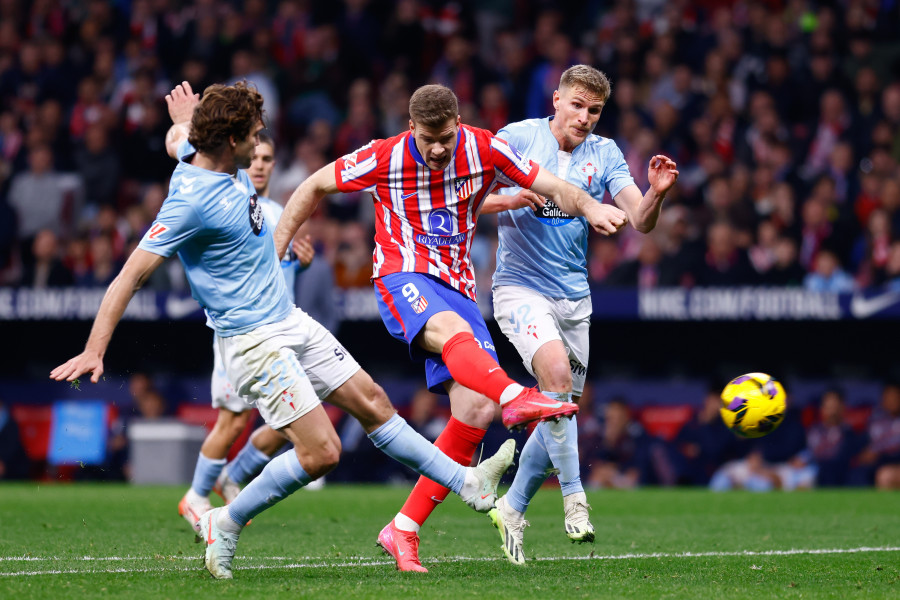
282, 477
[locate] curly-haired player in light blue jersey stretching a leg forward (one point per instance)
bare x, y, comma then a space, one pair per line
274, 354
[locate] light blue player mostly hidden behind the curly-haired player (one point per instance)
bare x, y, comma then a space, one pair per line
211, 473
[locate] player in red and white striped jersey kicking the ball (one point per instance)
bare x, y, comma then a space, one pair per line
429, 184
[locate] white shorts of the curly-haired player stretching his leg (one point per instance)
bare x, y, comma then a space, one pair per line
286, 367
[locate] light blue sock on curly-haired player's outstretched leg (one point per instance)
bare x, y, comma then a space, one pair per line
401, 442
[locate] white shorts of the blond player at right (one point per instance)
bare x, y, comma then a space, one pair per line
529, 319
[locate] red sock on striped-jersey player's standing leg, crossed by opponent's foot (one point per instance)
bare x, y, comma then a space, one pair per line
458, 441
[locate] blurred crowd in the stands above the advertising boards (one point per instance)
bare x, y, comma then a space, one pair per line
783, 116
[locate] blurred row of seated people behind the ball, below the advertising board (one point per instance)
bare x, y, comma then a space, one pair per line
819, 446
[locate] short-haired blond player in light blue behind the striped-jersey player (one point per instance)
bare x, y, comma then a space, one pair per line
541, 296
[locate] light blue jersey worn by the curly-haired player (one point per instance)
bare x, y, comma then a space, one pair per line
214, 221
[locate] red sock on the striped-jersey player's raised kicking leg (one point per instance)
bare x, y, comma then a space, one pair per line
473, 367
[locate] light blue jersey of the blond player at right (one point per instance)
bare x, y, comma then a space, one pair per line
546, 249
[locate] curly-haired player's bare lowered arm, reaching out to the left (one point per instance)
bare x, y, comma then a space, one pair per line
134, 273
